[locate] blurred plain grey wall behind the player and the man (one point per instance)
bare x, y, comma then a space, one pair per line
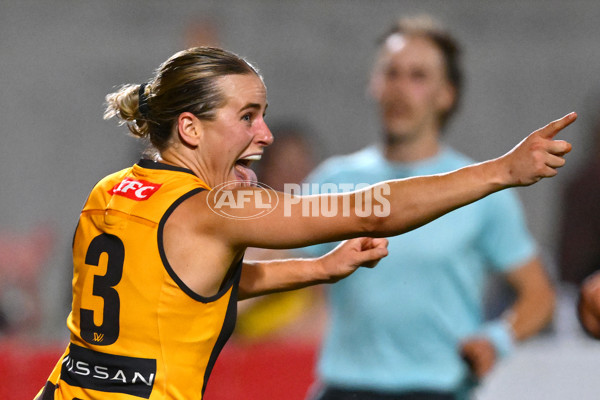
527, 62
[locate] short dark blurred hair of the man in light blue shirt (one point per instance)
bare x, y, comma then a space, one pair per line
429, 28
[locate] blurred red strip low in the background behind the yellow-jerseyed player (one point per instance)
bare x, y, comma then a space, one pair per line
269, 370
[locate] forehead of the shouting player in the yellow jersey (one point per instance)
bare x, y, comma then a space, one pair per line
244, 88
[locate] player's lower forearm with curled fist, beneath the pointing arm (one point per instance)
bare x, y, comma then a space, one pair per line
264, 277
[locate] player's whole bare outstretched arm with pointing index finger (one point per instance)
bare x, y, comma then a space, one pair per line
411, 202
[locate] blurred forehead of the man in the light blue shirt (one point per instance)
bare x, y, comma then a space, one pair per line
410, 51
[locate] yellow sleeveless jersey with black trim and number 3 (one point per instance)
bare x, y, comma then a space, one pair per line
137, 331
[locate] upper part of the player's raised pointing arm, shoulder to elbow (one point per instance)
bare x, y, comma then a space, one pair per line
254, 217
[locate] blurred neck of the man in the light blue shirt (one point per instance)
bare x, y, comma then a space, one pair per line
410, 149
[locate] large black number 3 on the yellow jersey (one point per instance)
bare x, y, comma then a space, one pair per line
103, 286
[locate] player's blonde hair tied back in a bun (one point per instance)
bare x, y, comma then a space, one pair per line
186, 82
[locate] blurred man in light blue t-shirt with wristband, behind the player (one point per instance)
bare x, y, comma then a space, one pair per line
414, 327
